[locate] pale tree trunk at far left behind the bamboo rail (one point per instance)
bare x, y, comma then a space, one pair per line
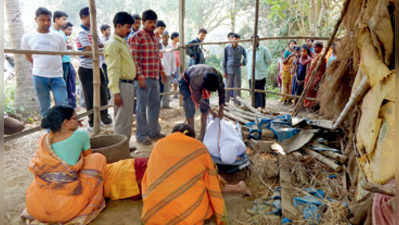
25, 95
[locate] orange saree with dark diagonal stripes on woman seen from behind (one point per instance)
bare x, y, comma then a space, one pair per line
181, 185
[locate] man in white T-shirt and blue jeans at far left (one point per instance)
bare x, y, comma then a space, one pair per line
47, 69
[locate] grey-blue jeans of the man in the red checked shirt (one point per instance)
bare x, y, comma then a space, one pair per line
147, 111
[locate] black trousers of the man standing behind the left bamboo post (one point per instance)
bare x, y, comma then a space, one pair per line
86, 78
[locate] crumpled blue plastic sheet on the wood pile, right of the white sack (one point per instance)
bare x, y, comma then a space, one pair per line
281, 127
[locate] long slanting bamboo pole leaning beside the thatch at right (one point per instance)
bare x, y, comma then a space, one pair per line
313, 74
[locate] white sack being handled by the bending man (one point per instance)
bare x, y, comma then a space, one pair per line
231, 144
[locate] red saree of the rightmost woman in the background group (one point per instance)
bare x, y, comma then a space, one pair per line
314, 86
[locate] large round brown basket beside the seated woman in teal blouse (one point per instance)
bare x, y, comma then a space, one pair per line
114, 147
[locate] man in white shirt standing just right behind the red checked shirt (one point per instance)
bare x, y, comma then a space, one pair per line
169, 66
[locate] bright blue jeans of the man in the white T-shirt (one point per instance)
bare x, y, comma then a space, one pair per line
44, 85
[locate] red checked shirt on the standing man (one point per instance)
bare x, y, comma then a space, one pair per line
145, 48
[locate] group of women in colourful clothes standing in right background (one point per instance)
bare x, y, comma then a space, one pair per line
297, 64
